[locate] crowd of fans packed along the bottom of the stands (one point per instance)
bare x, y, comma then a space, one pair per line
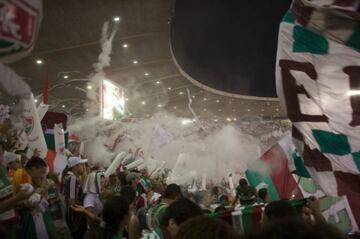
83, 203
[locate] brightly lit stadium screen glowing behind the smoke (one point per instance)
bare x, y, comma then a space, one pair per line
112, 101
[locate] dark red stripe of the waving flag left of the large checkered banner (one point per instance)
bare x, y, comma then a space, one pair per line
277, 161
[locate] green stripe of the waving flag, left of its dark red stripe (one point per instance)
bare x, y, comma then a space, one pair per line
256, 179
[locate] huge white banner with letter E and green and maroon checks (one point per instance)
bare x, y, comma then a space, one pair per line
318, 83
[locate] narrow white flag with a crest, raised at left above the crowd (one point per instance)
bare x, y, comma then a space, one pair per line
32, 127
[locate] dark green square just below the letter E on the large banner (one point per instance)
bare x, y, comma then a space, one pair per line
332, 143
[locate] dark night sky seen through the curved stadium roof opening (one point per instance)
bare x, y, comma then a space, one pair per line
229, 45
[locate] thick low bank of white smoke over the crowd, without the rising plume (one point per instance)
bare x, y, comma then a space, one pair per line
216, 154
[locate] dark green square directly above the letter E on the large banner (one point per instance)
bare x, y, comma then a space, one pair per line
309, 42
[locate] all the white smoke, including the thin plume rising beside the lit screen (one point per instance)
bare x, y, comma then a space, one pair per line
189, 151
